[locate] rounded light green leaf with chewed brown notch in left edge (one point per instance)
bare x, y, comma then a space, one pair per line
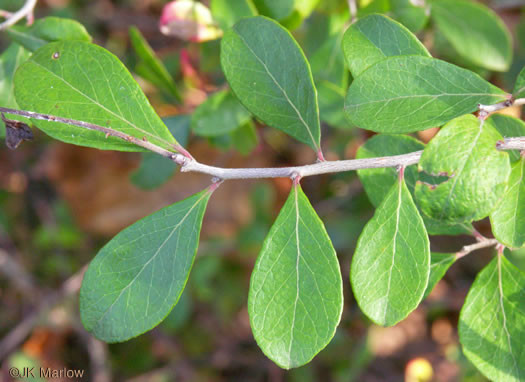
471, 173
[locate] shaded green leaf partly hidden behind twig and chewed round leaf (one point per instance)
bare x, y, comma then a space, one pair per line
378, 181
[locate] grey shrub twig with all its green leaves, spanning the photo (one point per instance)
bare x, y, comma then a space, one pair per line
80, 93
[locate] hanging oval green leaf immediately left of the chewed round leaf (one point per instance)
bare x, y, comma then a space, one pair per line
392, 257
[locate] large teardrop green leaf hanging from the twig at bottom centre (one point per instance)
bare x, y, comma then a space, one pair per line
296, 292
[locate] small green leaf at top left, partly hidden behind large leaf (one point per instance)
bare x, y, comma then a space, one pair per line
46, 30
